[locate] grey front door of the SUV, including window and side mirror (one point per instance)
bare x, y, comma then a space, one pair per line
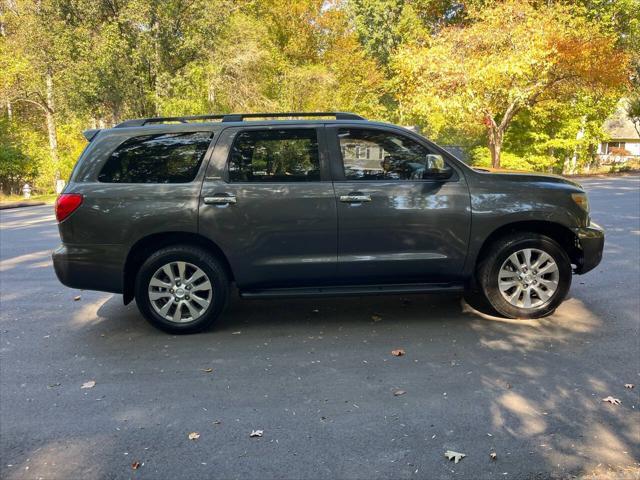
398, 219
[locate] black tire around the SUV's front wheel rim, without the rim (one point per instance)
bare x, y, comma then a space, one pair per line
489, 268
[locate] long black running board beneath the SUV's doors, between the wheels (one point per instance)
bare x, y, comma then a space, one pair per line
346, 290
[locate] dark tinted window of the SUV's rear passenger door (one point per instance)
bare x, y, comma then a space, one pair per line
275, 156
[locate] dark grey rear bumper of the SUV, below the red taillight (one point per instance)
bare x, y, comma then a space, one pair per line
89, 267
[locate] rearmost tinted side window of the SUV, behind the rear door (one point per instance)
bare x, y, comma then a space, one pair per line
165, 158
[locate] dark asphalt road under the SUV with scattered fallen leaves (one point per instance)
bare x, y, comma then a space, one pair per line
318, 377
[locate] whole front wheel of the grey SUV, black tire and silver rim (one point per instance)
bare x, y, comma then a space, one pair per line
525, 275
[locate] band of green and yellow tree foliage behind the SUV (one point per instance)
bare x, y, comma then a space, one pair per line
445, 65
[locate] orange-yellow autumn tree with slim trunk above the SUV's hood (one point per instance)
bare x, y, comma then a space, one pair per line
507, 56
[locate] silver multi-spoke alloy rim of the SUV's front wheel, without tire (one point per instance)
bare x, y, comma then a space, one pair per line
528, 278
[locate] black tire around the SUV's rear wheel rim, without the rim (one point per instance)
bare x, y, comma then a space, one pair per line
202, 259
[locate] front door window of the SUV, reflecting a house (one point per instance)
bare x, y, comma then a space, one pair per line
378, 155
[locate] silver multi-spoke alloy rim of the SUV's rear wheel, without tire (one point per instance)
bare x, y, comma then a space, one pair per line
180, 292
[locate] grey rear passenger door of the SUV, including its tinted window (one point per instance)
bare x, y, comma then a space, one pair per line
268, 202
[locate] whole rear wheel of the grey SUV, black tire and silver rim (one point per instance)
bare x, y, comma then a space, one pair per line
181, 289
